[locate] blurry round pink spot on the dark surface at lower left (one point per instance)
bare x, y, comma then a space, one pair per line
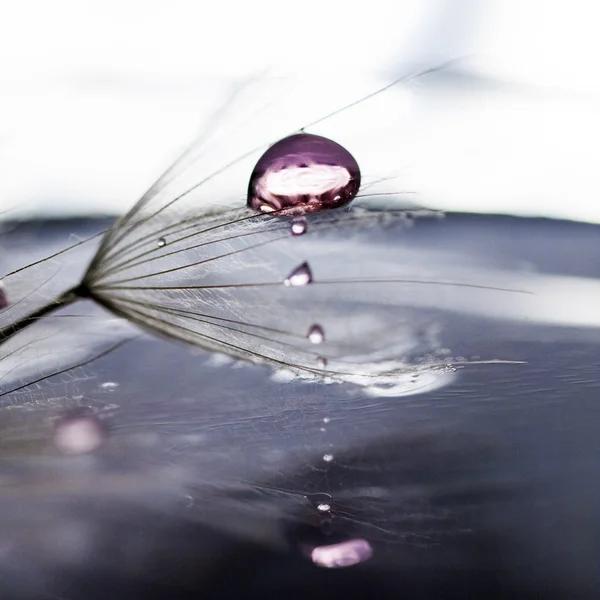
79, 432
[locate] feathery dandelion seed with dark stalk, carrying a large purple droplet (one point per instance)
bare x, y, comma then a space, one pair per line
220, 264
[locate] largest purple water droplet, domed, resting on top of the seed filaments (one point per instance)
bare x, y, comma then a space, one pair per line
303, 173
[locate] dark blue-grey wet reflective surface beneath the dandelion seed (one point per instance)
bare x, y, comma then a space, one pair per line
219, 479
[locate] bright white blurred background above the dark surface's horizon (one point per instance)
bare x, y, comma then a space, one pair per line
96, 98
